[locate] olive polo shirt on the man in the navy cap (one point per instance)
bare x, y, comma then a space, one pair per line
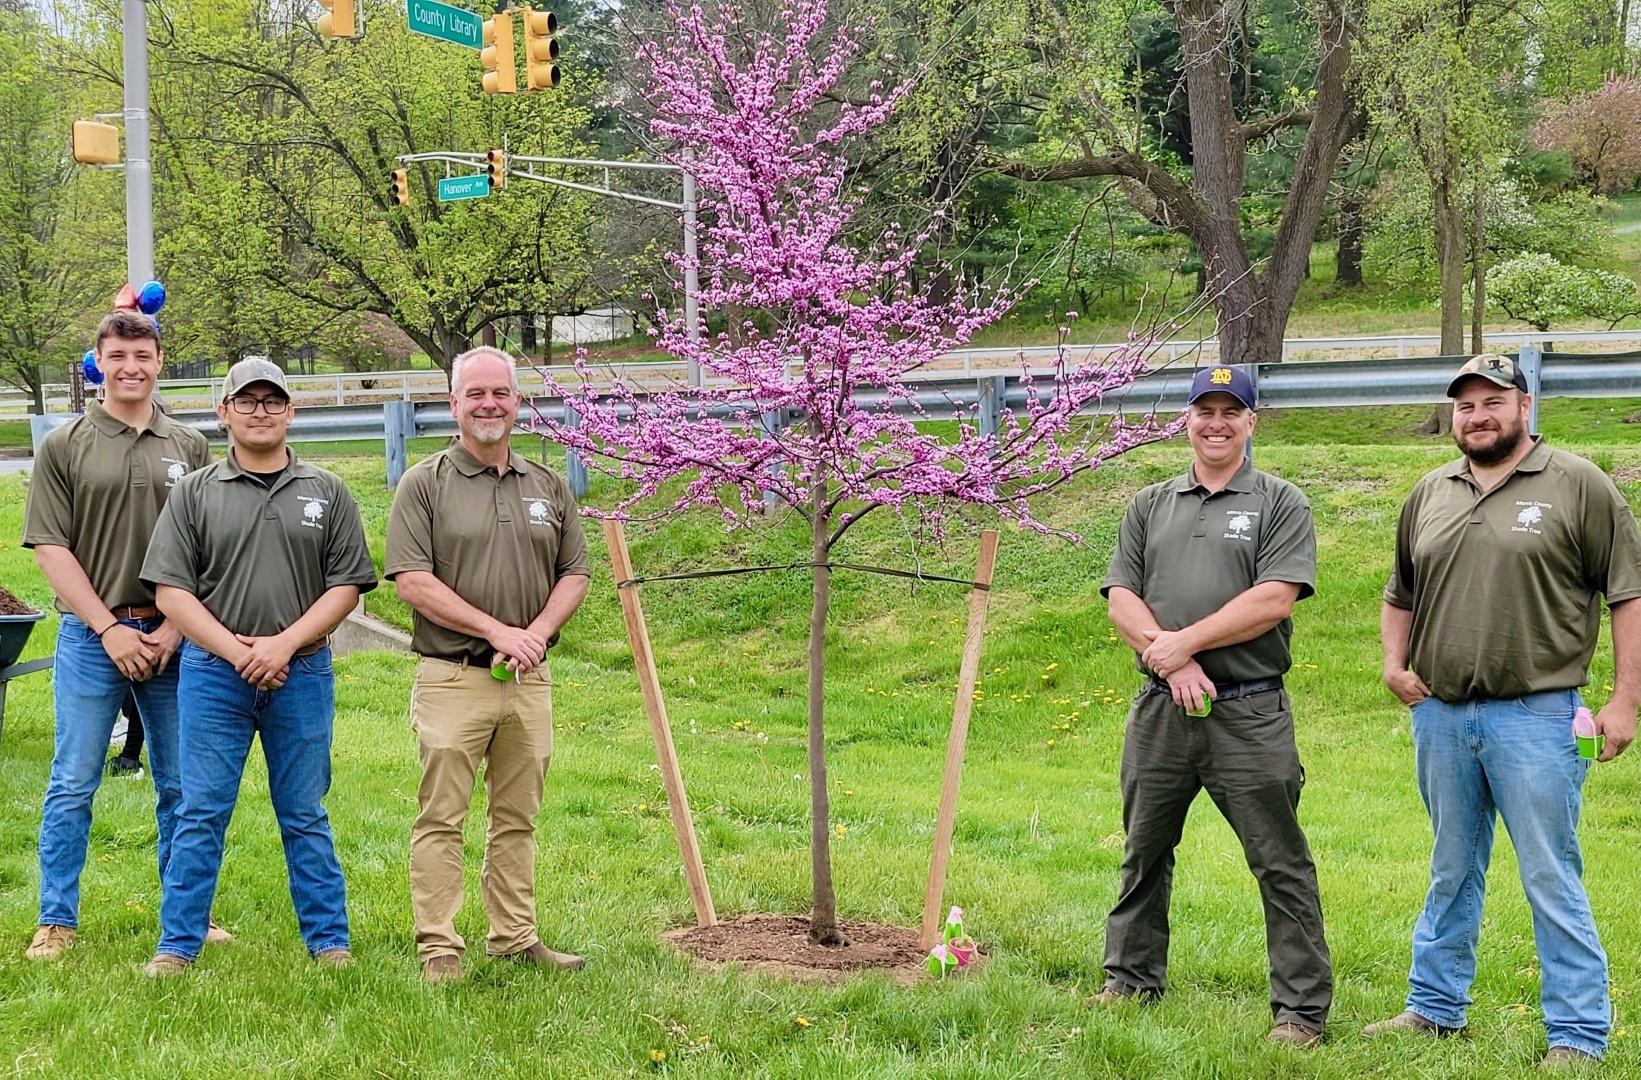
1187, 552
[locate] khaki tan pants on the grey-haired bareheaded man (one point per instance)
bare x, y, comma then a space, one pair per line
464, 716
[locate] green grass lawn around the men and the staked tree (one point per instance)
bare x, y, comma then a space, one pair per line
1036, 854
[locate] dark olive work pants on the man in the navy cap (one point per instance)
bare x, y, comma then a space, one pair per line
1245, 756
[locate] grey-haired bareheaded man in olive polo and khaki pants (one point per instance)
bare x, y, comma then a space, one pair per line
488, 549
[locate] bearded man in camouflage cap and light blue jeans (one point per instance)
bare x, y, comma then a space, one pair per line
1489, 623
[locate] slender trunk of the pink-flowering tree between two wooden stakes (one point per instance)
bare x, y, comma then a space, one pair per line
823, 920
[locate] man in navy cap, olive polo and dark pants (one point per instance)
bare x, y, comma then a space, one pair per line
1202, 587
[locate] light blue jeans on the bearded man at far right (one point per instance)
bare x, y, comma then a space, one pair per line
1517, 759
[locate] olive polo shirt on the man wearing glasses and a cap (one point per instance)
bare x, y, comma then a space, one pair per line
260, 557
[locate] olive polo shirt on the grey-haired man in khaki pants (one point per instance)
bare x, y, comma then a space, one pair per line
501, 542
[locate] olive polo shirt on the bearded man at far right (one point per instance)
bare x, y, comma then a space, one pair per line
1506, 587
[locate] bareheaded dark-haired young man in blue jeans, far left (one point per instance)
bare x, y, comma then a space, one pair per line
93, 501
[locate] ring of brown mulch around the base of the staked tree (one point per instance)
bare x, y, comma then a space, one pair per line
780, 945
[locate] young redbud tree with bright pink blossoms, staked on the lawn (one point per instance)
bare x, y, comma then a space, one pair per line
834, 327
